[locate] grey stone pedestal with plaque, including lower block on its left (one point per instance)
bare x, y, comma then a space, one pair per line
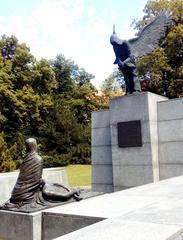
125, 142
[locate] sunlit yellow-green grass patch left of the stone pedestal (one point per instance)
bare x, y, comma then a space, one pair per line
79, 175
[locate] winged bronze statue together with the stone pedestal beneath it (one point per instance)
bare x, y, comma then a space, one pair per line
125, 138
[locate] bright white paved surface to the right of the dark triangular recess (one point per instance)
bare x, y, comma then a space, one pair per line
149, 212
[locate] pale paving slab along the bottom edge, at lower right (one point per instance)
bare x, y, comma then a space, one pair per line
114, 229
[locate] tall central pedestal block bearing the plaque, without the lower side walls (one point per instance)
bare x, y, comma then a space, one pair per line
135, 162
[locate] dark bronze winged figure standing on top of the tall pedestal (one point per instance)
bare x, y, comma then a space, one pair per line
146, 41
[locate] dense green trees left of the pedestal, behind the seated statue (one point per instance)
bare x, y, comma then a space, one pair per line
49, 100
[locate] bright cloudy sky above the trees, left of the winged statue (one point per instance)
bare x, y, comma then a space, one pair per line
78, 29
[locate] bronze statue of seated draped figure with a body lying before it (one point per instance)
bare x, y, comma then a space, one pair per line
30, 189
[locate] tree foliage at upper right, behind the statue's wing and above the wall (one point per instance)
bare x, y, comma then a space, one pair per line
165, 64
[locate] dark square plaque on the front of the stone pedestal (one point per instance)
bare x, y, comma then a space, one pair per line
129, 134
